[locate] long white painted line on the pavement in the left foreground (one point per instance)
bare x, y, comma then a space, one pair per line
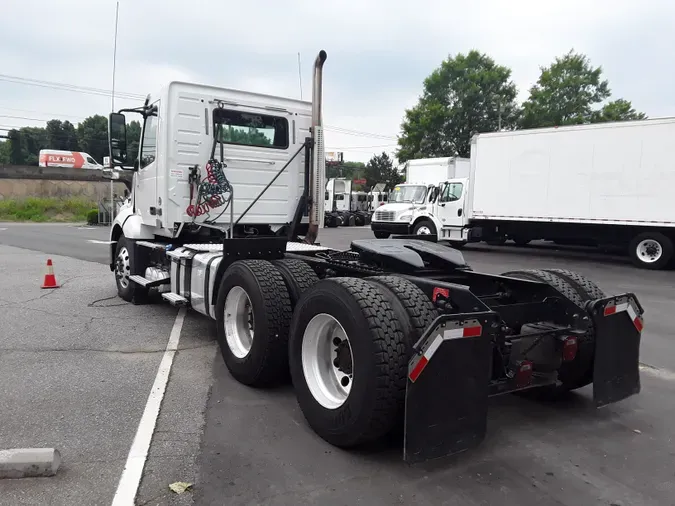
133, 469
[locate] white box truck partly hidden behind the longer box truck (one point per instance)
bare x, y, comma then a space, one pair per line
395, 217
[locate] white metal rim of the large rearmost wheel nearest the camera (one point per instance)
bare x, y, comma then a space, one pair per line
327, 361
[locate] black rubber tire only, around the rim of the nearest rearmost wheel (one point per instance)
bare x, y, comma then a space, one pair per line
379, 360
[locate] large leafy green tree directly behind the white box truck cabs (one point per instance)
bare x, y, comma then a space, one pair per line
466, 95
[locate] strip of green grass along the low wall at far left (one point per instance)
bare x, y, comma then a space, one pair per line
54, 209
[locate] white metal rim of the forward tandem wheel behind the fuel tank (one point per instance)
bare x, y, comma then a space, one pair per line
239, 322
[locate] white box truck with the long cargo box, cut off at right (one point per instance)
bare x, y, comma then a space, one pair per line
606, 184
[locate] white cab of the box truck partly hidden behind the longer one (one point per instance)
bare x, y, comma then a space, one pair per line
396, 216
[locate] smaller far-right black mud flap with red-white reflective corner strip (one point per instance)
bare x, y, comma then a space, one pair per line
618, 328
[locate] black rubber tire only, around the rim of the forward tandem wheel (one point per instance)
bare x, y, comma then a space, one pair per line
266, 362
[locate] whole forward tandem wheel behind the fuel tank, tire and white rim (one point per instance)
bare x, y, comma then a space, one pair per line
253, 313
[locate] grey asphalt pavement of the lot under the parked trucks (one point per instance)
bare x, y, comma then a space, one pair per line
77, 366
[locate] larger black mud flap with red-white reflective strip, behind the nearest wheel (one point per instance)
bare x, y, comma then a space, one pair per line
447, 386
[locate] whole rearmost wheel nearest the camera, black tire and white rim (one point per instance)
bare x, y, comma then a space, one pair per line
347, 357
